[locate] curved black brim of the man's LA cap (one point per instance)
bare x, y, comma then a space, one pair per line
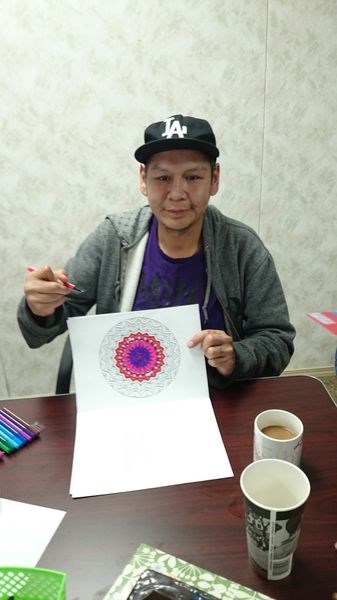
143, 153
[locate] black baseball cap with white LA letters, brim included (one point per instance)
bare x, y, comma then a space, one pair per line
178, 133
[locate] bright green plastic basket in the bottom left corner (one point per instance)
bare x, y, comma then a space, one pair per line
20, 583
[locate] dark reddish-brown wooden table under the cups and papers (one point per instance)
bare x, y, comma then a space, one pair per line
202, 523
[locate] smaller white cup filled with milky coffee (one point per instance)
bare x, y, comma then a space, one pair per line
281, 421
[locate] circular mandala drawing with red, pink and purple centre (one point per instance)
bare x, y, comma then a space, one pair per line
139, 357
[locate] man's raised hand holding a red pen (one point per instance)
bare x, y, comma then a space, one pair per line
45, 290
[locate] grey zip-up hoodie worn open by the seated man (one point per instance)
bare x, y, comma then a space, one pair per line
240, 270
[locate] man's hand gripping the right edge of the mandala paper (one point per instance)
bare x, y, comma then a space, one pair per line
218, 348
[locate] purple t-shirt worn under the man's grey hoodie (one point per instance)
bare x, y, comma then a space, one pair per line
166, 281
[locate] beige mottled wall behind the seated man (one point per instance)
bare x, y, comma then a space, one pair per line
79, 81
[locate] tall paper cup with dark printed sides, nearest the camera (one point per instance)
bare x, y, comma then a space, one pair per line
275, 493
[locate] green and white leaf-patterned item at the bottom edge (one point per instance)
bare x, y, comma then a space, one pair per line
147, 557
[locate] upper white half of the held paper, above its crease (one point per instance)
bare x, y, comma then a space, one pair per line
185, 375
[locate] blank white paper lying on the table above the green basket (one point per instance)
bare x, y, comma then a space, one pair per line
25, 532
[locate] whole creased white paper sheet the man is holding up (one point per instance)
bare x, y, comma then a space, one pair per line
165, 436
